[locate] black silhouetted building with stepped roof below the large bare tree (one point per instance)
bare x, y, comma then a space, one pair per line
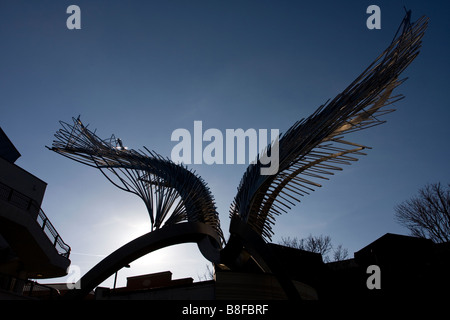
410, 267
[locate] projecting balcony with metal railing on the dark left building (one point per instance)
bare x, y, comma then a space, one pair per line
32, 248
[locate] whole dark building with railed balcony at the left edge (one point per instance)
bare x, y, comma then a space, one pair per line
30, 247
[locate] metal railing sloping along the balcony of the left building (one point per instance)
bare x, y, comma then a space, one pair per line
24, 202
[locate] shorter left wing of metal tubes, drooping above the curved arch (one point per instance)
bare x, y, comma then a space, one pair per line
171, 192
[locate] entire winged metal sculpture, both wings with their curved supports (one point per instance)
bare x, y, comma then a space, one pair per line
180, 204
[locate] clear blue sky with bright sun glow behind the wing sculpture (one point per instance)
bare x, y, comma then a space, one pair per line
141, 69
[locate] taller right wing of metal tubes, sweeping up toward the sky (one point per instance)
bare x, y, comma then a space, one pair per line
313, 148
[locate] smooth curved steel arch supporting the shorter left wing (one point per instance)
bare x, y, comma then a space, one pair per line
198, 232
